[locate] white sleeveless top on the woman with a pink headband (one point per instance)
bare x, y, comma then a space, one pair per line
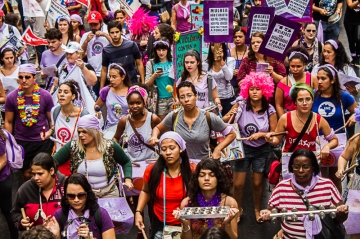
136, 150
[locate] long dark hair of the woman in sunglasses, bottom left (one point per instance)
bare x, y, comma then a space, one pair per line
91, 199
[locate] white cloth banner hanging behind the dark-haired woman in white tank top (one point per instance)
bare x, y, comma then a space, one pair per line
87, 102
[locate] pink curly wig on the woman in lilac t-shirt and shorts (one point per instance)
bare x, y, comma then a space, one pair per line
258, 79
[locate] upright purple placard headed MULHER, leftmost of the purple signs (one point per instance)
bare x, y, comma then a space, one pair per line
218, 18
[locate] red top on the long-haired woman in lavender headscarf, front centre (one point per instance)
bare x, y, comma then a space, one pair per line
175, 193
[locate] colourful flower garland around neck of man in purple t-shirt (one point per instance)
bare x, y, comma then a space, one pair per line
29, 121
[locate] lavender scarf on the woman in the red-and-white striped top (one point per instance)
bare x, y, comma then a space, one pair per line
312, 227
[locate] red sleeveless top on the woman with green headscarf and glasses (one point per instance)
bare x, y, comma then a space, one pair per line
308, 141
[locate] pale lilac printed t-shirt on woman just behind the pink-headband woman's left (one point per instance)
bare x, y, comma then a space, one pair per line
116, 106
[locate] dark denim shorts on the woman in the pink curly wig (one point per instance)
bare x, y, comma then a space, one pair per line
255, 156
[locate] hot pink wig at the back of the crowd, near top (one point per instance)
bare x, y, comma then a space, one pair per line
139, 20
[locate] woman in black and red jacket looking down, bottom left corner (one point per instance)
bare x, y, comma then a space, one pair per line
40, 196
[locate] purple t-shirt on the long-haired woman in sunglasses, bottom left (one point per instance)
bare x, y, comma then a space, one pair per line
107, 224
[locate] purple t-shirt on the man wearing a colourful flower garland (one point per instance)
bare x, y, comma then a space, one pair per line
22, 132
